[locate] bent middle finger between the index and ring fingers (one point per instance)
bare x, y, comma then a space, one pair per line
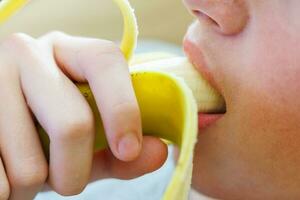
64, 114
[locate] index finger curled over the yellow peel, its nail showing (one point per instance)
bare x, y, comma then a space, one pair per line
102, 64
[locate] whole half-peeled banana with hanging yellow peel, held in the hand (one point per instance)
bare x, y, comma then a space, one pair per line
169, 91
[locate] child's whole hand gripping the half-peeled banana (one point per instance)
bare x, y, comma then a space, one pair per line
35, 78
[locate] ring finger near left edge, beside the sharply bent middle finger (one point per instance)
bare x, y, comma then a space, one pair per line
20, 147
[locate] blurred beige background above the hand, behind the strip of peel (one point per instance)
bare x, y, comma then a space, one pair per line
165, 20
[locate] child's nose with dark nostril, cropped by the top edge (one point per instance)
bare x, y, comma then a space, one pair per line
227, 16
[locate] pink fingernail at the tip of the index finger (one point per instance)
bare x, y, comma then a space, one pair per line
128, 147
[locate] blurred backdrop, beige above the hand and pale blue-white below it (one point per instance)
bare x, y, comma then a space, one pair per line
162, 25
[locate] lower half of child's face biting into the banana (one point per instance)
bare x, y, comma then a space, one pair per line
251, 48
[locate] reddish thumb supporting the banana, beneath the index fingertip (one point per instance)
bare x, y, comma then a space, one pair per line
153, 155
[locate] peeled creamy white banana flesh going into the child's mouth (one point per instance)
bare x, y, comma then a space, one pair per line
207, 98
